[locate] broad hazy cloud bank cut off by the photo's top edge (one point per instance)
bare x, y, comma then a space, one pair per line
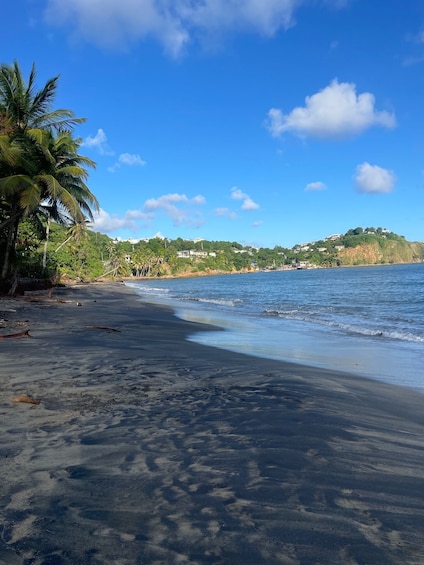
173, 23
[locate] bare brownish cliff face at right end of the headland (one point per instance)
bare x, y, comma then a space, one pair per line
376, 253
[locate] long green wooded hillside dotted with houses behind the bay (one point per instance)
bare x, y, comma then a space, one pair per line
75, 255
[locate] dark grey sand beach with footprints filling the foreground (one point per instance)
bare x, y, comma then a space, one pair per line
146, 448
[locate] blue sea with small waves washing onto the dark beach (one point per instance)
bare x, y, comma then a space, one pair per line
364, 320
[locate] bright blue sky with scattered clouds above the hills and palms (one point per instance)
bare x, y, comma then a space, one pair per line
267, 122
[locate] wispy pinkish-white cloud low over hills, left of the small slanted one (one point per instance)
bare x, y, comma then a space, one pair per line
178, 207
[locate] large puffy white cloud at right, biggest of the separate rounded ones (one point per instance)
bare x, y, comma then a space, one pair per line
337, 111
